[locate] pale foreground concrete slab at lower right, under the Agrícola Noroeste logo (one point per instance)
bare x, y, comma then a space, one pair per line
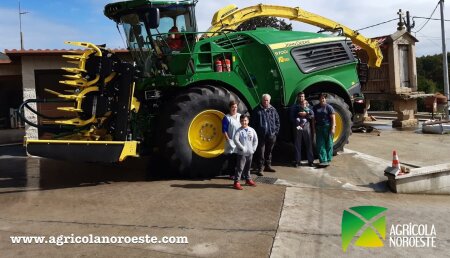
310, 225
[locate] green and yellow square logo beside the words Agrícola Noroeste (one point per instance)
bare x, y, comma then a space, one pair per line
366, 224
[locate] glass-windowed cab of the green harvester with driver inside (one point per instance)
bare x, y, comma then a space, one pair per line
154, 31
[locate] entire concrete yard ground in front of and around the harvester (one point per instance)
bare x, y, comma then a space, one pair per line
298, 216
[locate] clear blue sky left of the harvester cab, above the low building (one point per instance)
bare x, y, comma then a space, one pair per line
49, 23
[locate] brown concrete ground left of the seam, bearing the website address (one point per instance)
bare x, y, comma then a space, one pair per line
217, 220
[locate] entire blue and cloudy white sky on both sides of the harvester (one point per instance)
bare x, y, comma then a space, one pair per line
49, 23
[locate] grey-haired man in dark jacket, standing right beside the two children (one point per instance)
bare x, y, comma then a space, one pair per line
266, 122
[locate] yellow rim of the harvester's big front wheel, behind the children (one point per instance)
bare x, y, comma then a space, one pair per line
205, 134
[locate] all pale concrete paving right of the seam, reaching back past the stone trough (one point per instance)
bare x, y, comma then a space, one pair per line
310, 224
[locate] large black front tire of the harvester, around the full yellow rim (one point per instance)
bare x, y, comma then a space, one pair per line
176, 122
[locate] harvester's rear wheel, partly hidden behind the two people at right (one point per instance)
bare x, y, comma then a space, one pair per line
343, 121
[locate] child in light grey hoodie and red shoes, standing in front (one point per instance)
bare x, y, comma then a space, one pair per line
246, 142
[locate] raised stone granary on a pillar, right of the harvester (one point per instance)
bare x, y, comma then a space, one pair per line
396, 79
